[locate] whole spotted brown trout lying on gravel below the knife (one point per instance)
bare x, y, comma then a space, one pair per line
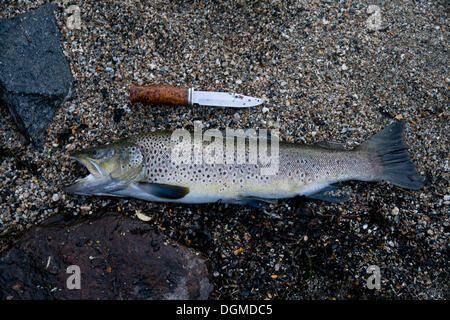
143, 167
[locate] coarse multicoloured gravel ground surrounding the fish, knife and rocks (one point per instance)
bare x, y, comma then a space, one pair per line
326, 76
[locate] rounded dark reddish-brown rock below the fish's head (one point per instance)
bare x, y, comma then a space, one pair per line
118, 257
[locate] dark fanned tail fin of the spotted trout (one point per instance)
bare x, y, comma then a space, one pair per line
397, 166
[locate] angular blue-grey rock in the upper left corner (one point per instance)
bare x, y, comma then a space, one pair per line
35, 76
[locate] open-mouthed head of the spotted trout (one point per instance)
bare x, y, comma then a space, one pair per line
111, 168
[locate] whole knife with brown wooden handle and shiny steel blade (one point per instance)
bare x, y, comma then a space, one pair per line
189, 97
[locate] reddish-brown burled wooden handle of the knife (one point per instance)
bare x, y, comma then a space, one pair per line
159, 95
